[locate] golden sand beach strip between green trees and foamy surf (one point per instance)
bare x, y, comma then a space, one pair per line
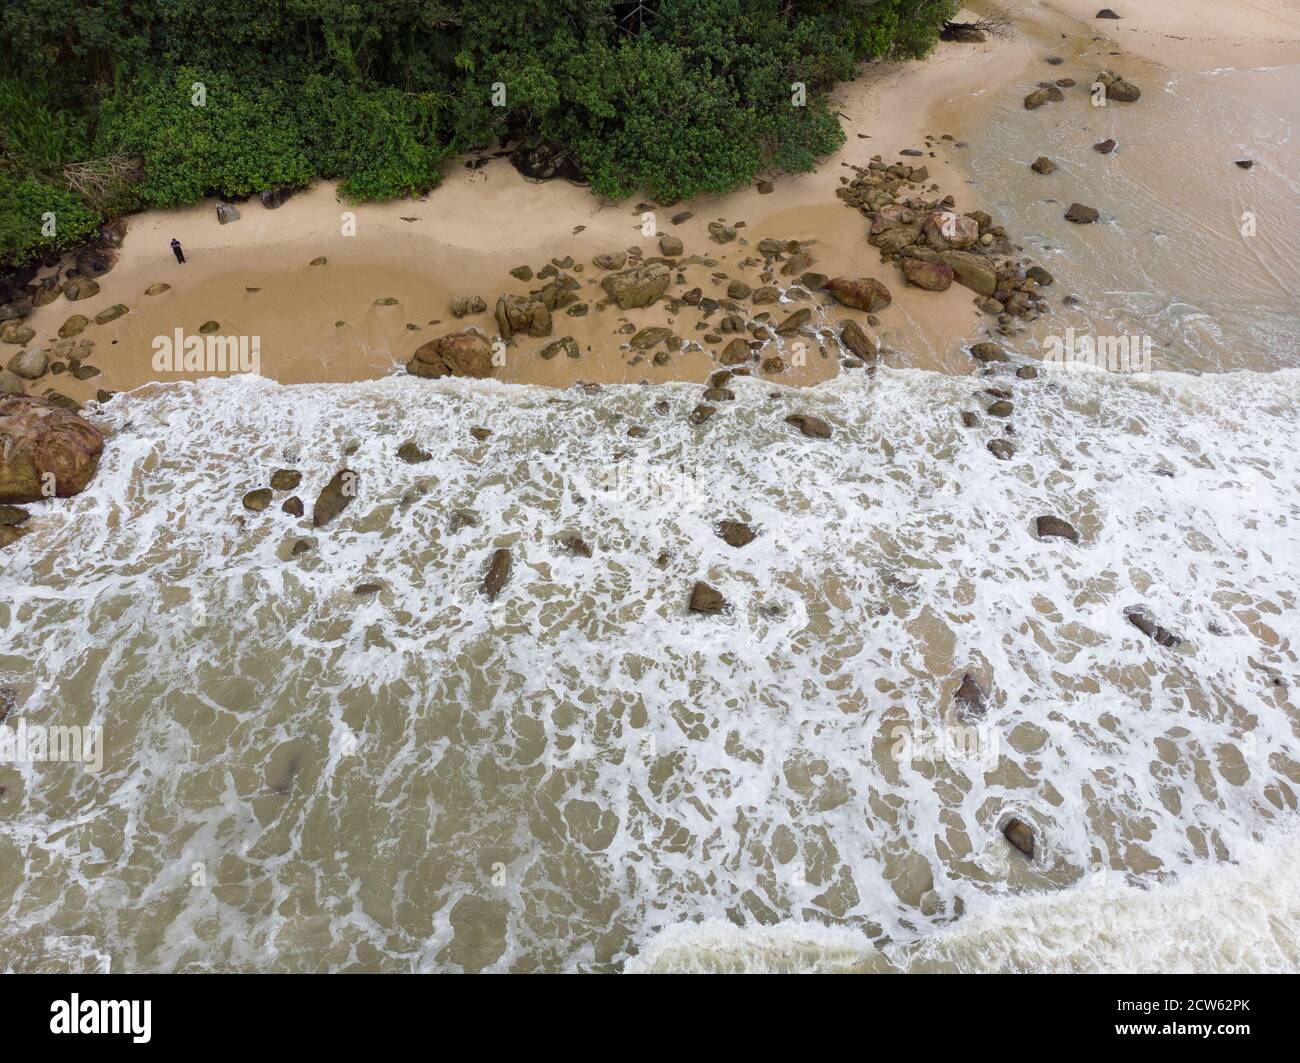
385, 292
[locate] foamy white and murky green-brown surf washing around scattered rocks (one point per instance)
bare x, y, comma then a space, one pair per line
586, 776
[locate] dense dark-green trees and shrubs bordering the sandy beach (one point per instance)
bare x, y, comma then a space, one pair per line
671, 97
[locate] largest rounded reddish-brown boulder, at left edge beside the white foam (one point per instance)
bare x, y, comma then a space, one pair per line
45, 450
